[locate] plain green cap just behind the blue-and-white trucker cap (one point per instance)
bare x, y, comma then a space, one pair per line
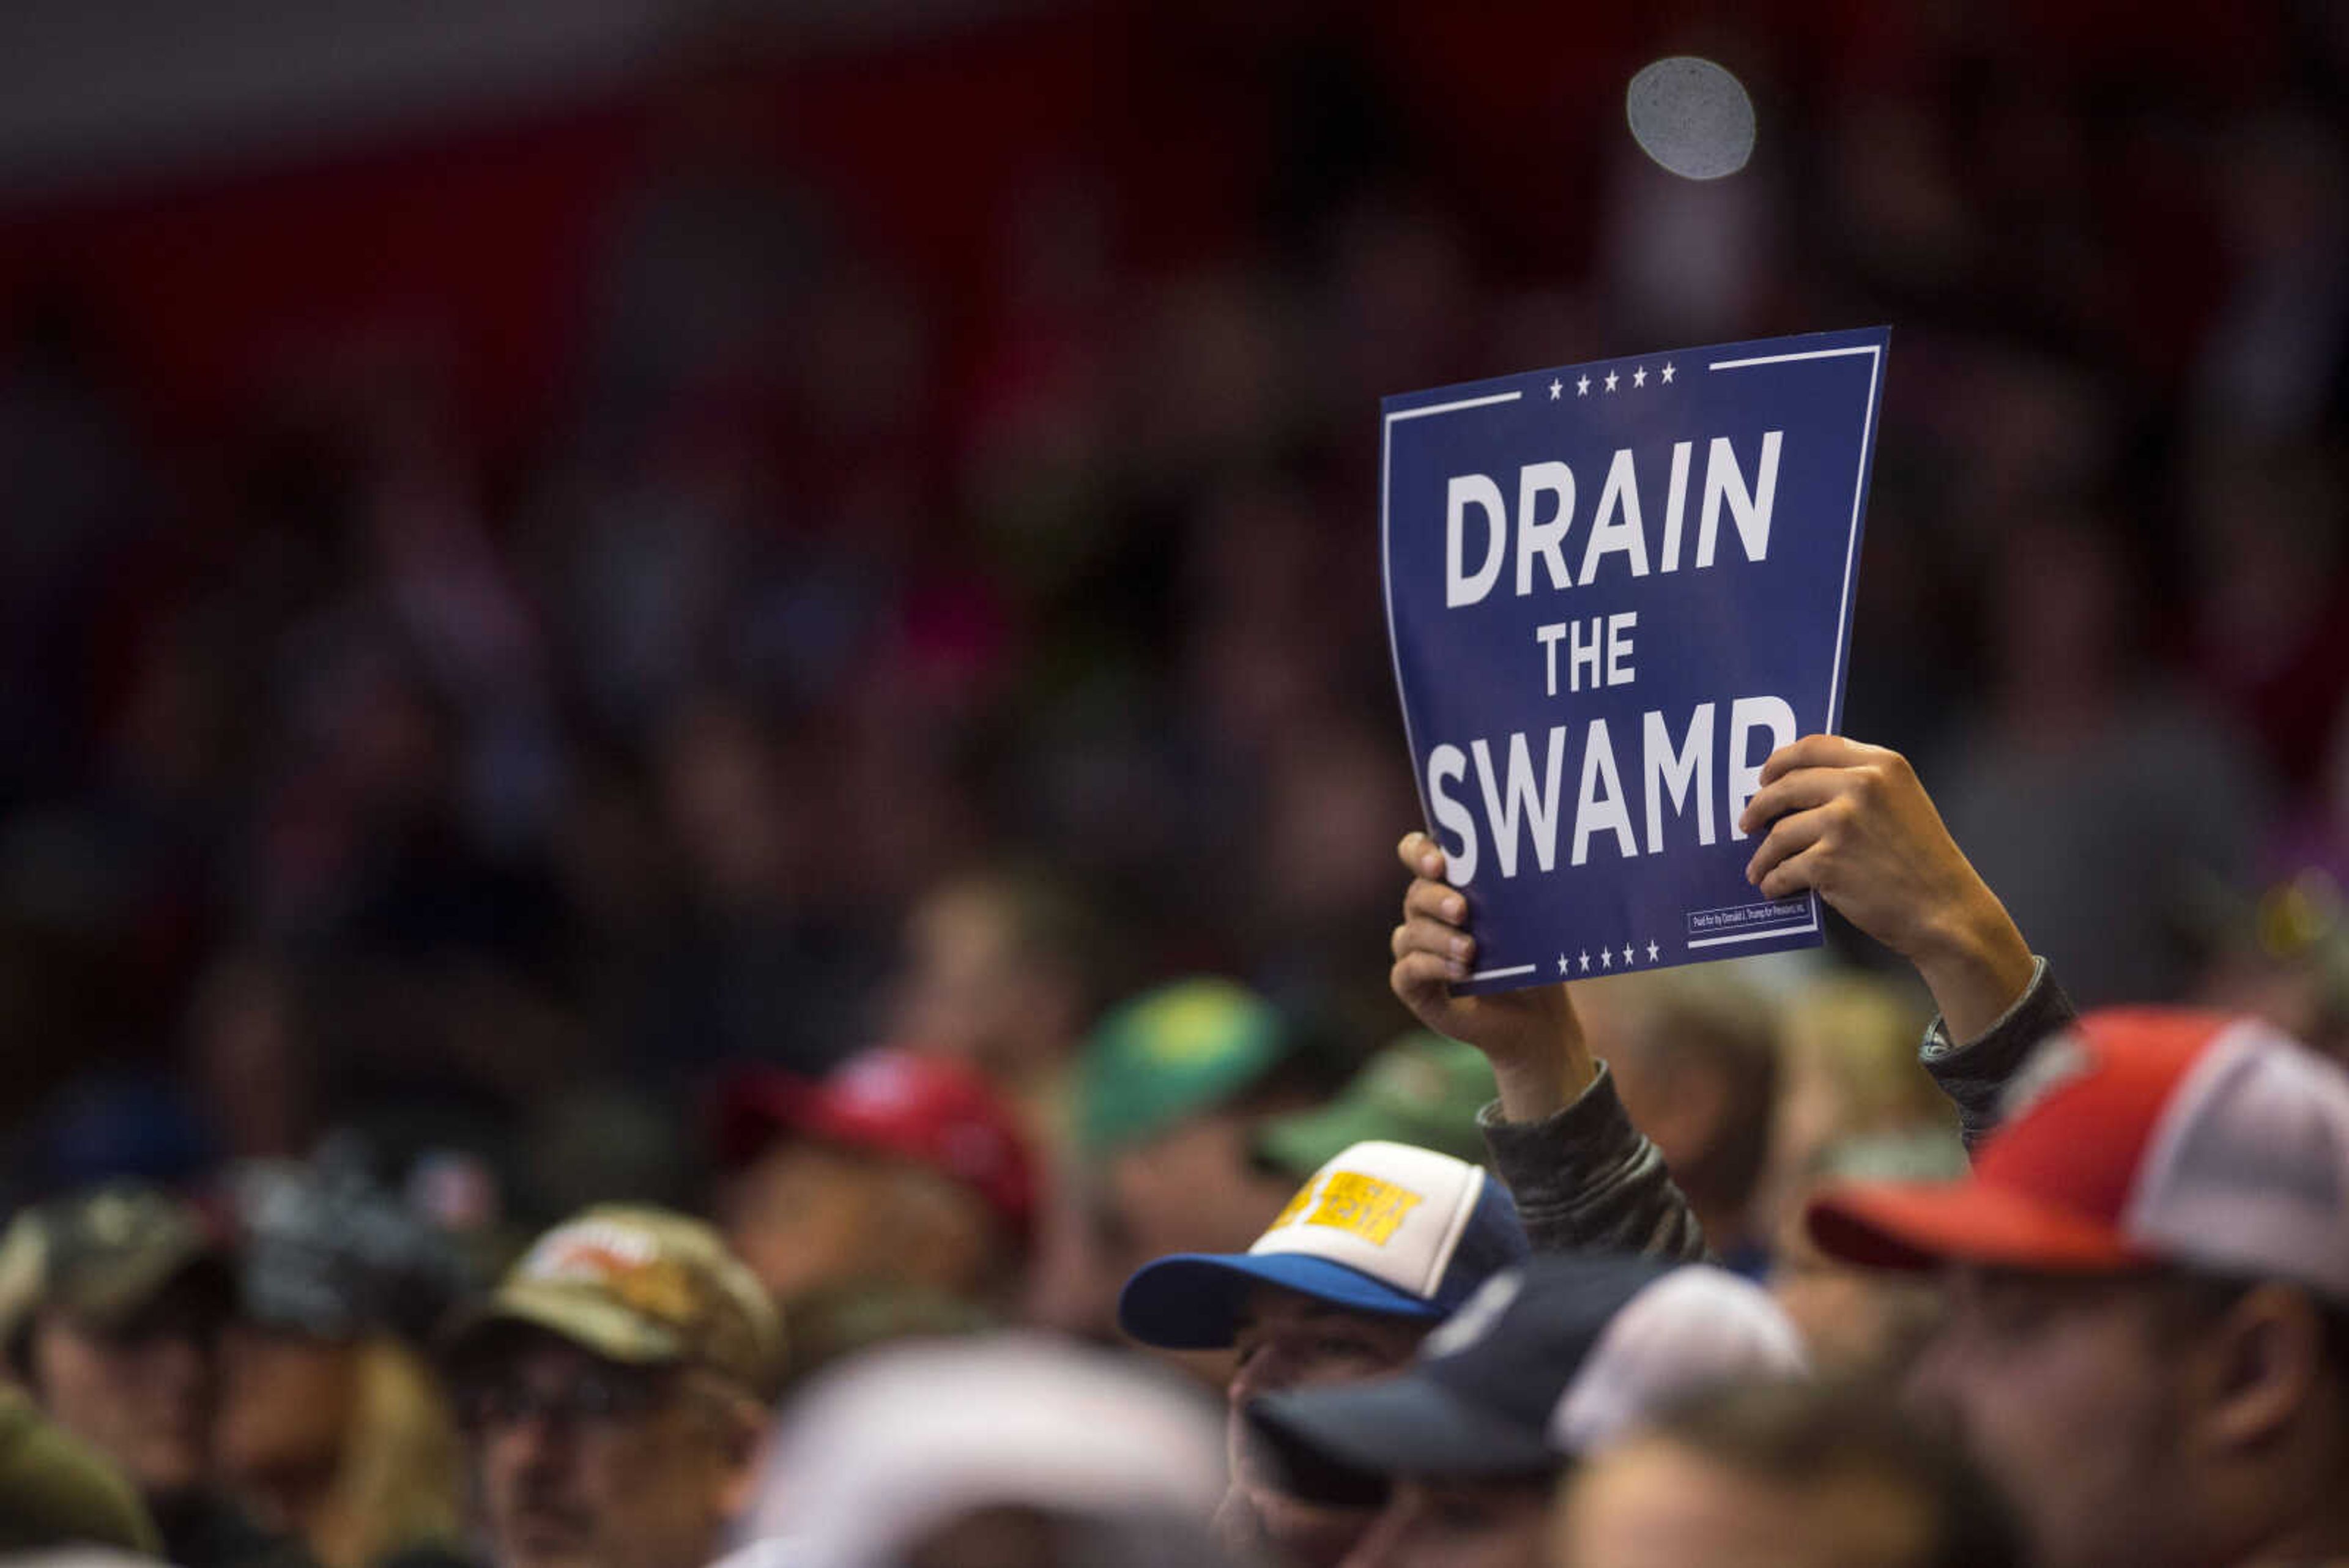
1422, 1090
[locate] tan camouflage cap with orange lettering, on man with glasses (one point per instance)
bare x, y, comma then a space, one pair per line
635, 1285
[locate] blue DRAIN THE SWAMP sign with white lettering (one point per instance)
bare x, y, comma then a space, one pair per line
1613, 591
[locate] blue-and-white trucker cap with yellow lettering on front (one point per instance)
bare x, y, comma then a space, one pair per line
1382, 1228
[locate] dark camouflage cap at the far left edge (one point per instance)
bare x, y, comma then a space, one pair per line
105, 1254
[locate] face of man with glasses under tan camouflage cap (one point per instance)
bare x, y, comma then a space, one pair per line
586, 1463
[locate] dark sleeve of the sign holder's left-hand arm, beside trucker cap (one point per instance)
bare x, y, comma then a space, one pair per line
1589, 1181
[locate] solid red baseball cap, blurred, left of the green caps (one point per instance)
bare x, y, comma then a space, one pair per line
931, 1111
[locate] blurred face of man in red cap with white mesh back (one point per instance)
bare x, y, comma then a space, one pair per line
2068, 1398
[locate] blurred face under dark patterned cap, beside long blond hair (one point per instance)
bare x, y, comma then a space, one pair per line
285, 1405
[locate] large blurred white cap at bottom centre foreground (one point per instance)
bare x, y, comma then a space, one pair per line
1014, 1447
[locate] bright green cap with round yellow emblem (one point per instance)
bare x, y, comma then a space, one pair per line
1171, 1054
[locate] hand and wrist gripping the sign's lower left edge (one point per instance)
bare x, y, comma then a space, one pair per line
1530, 1036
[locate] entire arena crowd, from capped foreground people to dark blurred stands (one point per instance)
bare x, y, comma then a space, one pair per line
661, 981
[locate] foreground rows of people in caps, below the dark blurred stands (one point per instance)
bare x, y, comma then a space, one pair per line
2120, 1339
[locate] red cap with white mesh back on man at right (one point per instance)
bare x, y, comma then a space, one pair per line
2136, 1137
